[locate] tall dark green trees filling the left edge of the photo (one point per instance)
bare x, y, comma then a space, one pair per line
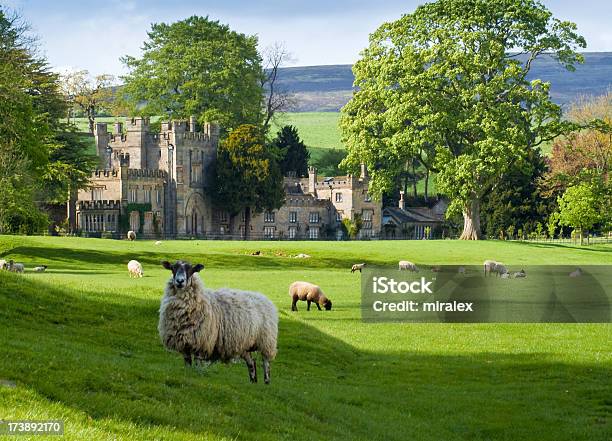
34, 161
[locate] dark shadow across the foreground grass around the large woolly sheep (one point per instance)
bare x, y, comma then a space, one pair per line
104, 359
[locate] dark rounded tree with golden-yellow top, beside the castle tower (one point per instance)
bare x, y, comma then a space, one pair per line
248, 176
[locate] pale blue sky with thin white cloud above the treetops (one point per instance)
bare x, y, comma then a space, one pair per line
94, 34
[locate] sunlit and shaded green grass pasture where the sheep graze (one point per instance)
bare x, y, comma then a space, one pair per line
80, 343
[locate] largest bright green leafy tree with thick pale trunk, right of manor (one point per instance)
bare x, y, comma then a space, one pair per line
451, 78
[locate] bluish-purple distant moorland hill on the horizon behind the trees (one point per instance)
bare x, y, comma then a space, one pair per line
328, 88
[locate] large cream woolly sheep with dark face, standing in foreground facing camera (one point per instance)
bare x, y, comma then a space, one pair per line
216, 325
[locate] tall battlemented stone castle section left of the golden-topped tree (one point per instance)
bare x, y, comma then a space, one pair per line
148, 182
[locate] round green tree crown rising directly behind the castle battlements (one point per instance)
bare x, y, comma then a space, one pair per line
200, 67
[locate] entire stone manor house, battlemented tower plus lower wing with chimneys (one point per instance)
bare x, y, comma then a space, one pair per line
157, 184
